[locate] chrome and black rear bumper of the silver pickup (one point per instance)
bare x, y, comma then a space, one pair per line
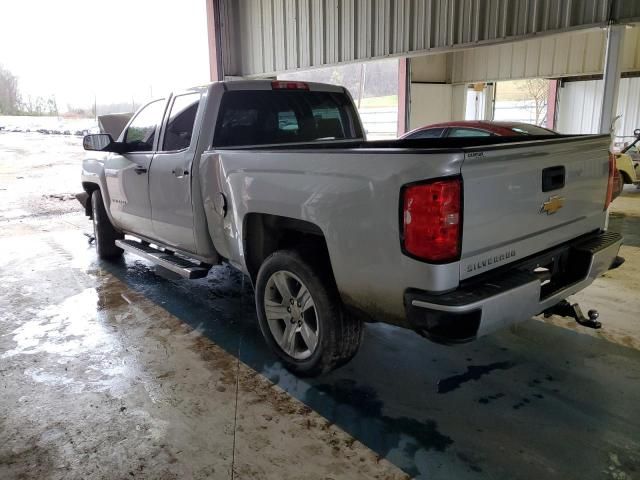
494, 300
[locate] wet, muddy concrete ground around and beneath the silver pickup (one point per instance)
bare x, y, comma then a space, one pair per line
115, 370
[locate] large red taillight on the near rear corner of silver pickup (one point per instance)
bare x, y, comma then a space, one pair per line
431, 220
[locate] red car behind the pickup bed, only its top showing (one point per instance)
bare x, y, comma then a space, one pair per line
477, 128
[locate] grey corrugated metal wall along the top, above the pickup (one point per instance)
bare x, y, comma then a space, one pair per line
270, 36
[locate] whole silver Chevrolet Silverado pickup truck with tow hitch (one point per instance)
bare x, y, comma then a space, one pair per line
450, 237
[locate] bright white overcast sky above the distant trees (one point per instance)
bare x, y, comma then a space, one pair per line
115, 50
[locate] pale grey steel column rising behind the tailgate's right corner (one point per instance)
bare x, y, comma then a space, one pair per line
612, 66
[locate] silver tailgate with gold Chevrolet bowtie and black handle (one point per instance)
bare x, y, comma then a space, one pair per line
525, 198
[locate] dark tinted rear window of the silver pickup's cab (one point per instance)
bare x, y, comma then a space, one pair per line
264, 117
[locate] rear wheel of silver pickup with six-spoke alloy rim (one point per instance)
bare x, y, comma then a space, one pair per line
301, 315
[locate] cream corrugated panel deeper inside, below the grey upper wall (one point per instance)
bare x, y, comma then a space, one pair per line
579, 53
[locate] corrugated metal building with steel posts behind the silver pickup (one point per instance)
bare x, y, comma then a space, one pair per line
258, 38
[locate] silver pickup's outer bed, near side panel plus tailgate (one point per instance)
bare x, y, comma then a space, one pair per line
351, 192
